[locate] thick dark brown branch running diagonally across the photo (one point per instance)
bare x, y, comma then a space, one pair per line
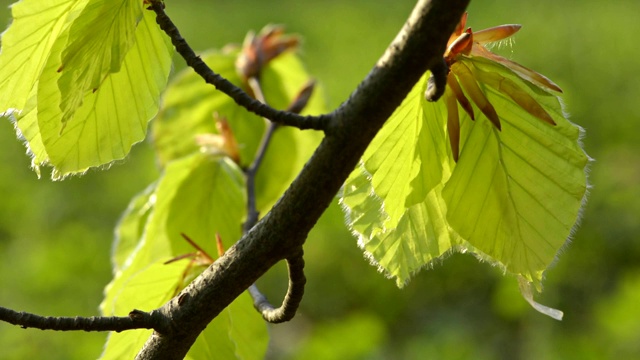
350, 129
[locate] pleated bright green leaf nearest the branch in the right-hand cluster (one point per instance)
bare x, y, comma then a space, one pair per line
393, 200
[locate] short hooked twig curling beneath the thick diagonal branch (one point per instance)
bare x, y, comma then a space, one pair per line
292, 299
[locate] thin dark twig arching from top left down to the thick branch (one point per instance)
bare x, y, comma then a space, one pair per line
222, 84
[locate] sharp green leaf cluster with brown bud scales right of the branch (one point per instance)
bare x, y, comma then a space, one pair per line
507, 187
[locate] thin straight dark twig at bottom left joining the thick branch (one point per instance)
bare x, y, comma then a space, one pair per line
136, 320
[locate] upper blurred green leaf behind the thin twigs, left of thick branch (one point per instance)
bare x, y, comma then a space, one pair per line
189, 105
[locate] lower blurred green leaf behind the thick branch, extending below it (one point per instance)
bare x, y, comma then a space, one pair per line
198, 195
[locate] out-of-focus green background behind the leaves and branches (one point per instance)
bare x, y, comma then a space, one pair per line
55, 238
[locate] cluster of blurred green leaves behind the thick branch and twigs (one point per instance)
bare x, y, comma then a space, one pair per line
201, 193
